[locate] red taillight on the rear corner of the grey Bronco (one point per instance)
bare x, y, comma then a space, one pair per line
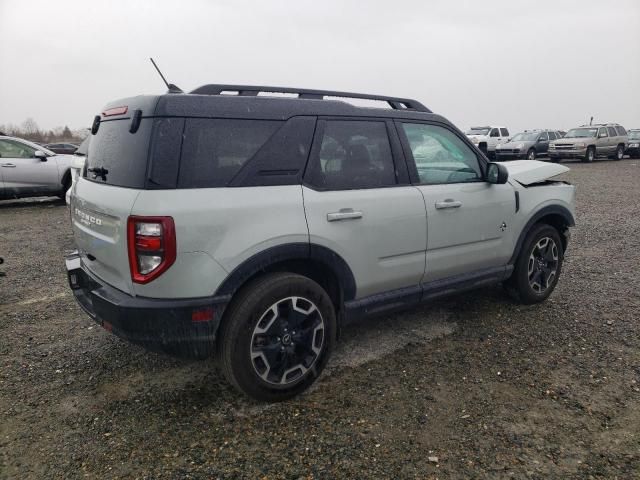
152, 246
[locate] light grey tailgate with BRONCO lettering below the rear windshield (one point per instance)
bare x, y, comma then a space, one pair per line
99, 215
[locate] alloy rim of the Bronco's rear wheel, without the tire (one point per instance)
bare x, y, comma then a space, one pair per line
287, 340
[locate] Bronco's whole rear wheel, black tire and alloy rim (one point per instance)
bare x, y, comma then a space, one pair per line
261, 322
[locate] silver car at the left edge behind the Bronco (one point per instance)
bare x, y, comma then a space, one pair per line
28, 170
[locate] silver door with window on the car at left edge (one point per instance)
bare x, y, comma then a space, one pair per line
25, 174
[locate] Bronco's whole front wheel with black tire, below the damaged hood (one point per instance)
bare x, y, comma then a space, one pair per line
530, 269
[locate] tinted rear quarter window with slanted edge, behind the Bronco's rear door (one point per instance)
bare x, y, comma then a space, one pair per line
214, 150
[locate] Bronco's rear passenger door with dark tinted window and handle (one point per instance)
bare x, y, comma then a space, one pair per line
358, 203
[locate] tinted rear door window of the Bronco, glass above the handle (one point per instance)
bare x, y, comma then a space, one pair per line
353, 154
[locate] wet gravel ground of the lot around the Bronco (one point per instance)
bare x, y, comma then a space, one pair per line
490, 388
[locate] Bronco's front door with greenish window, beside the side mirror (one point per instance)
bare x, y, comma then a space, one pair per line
468, 219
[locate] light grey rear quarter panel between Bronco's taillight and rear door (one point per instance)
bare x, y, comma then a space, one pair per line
219, 228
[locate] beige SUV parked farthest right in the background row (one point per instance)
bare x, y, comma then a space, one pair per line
589, 142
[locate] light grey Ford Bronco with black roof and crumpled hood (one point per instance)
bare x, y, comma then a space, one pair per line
252, 227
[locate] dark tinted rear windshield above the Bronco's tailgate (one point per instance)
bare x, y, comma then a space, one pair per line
117, 157
